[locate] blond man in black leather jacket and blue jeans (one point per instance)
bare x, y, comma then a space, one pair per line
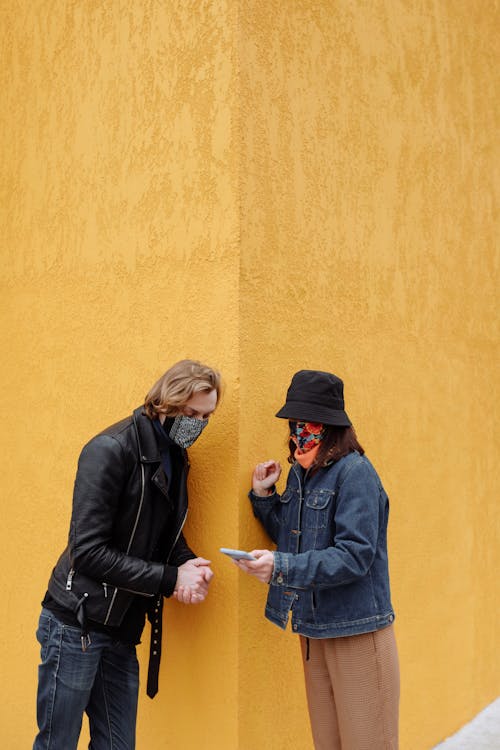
125, 552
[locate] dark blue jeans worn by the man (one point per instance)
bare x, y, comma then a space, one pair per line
103, 681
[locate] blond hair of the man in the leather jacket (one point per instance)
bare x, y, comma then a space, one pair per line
178, 384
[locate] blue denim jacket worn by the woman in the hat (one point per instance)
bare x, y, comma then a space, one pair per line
330, 567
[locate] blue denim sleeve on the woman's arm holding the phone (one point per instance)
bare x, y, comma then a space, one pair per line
355, 542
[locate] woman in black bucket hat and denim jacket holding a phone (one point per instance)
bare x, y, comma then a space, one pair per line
330, 570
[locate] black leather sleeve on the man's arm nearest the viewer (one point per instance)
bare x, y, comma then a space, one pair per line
101, 476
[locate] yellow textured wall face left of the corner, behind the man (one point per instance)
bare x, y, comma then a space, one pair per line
120, 256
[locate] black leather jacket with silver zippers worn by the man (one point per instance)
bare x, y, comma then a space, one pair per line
120, 505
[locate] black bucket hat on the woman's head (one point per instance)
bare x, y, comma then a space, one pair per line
315, 396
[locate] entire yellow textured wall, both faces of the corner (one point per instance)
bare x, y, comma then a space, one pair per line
265, 186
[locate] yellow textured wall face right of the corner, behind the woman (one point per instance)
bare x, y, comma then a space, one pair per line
368, 249
